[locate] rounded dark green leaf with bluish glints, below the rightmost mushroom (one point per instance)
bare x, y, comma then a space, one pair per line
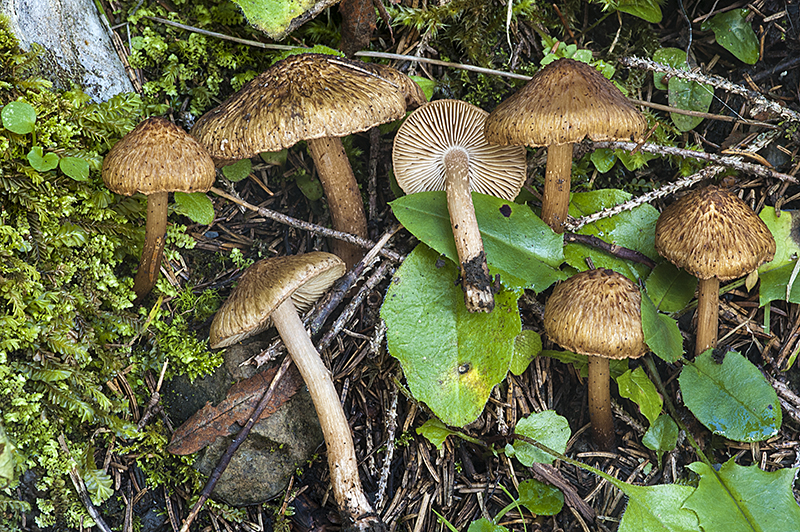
732, 399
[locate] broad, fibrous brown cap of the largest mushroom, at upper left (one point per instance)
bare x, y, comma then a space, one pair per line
305, 97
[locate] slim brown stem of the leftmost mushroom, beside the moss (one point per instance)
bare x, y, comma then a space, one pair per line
154, 234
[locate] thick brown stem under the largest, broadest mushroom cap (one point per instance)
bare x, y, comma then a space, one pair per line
344, 196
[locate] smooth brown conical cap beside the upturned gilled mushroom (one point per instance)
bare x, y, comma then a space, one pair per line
565, 102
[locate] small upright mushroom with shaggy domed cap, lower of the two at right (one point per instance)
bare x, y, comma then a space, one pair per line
597, 313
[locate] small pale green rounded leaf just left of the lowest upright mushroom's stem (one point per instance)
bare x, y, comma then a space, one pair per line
548, 428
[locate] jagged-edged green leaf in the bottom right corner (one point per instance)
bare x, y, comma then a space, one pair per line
746, 499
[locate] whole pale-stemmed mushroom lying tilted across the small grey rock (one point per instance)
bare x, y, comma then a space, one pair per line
273, 291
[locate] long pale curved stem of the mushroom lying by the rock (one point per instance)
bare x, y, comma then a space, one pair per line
346, 484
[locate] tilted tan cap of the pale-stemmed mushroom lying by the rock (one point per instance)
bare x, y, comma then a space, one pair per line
265, 285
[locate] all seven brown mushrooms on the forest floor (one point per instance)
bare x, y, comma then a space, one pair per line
445, 145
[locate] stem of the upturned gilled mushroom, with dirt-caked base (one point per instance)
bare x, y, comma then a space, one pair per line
475, 278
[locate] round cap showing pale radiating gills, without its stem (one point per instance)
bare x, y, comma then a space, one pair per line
437, 127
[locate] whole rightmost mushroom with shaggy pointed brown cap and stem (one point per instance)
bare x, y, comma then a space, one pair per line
715, 236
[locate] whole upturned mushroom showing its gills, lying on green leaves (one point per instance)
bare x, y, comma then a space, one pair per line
441, 146
